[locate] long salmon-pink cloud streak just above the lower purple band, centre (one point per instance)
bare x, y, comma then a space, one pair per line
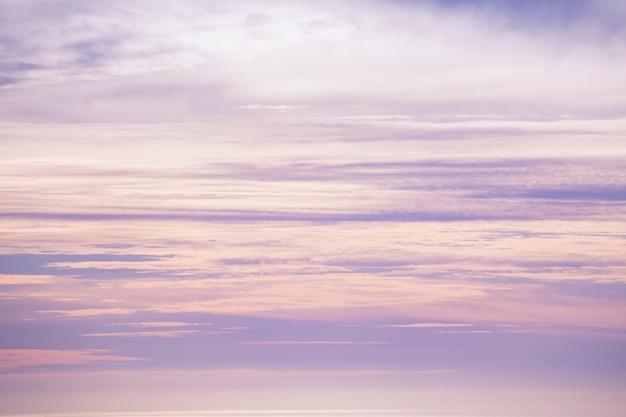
277, 293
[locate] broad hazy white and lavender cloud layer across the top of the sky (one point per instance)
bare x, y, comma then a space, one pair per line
212, 58
